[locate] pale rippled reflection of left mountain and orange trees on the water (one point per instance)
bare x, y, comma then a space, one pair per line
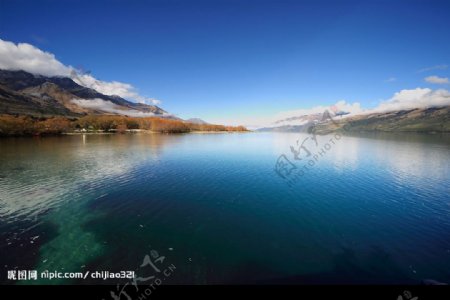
39, 173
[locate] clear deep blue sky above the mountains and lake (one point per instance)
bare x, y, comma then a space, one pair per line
241, 62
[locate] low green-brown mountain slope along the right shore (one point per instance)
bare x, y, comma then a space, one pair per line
432, 119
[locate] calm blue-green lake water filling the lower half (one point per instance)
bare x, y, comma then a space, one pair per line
210, 208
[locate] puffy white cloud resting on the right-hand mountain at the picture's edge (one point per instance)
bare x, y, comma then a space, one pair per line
416, 98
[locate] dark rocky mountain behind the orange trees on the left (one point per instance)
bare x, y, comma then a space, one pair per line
25, 93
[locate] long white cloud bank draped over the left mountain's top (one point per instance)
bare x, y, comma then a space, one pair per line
26, 57
